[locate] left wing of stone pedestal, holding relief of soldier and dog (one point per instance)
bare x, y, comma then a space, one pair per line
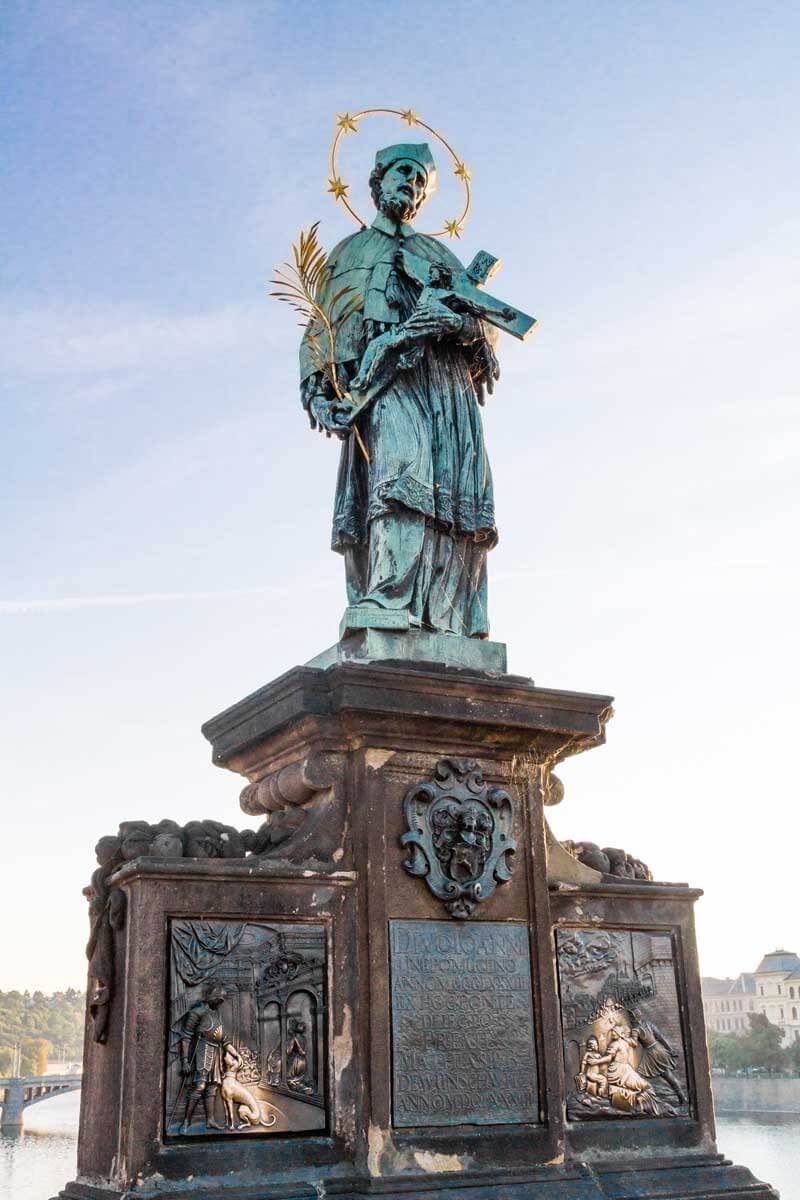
131, 1090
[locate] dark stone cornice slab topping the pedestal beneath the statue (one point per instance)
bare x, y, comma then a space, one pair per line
352, 701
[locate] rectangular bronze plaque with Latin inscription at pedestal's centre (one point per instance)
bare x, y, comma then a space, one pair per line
464, 1047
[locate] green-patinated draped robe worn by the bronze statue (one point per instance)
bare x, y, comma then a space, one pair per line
414, 523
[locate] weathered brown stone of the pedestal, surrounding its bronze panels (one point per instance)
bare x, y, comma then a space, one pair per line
340, 751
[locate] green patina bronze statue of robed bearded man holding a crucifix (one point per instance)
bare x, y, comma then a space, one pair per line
414, 358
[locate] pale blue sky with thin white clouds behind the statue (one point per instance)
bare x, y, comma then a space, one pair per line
167, 508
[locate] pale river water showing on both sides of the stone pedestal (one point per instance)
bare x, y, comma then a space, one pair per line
38, 1165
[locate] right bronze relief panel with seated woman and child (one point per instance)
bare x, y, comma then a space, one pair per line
621, 1017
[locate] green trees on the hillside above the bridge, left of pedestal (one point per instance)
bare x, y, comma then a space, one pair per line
44, 1028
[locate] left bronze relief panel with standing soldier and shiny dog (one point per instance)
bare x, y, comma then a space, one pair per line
246, 1041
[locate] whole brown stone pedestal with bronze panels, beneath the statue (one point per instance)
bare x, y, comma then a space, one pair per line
444, 959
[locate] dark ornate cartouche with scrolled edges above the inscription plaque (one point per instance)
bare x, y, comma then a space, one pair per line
460, 836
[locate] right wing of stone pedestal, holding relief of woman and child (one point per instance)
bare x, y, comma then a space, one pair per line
633, 944
